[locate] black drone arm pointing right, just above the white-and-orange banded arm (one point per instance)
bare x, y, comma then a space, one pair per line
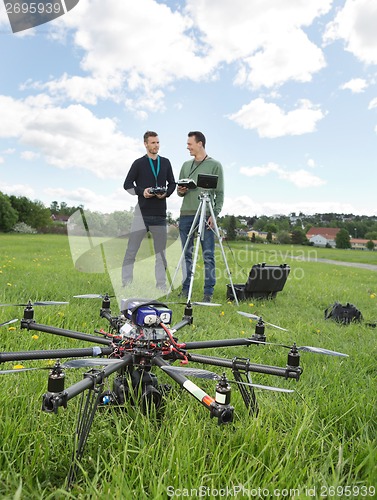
246, 366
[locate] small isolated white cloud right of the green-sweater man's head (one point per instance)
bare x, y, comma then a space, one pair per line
269, 120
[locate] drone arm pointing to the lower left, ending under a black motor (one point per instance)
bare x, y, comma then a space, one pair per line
52, 400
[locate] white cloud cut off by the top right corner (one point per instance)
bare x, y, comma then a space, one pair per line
356, 24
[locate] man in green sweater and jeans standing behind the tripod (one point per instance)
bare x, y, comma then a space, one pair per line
201, 164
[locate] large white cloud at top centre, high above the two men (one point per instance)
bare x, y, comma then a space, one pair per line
130, 51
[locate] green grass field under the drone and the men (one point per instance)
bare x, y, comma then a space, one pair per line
318, 442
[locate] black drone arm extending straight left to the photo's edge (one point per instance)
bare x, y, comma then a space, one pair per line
55, 354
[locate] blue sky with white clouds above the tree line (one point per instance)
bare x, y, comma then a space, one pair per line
285, 93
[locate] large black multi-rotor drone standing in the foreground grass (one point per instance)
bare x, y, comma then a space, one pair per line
140, 340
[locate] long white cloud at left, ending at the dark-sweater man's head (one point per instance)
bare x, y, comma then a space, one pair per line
71, 137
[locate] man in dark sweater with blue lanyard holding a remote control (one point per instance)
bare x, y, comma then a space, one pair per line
147, 173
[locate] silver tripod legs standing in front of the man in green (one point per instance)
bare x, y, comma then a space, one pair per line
205, 201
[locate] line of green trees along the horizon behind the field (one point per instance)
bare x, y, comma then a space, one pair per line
21, 212
